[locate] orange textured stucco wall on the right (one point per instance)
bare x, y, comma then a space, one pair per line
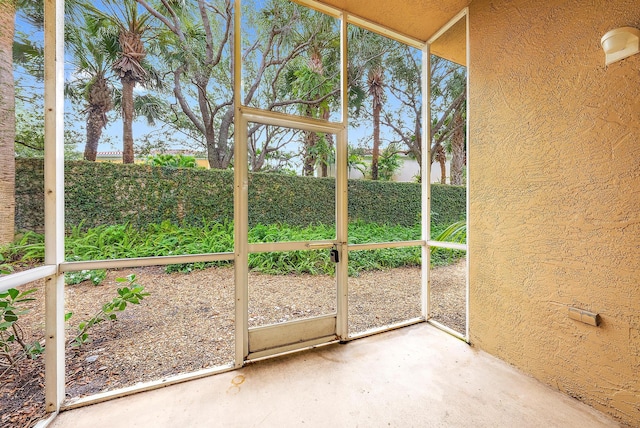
555, 196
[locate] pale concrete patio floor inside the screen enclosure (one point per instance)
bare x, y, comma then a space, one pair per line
413, 377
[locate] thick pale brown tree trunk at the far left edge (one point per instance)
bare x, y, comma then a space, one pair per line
7, 124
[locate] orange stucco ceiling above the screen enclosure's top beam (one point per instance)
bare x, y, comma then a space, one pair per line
419, 19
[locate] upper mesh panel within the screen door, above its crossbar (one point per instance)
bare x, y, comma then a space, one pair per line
291, 193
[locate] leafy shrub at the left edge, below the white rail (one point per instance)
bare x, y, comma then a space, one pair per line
13, 347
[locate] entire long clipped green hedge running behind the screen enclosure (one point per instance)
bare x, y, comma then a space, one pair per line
105, 193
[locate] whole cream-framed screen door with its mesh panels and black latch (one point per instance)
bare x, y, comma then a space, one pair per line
290, 254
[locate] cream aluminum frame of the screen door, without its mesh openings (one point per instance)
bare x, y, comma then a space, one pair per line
263, 341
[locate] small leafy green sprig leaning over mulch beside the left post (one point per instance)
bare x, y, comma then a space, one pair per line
131, 293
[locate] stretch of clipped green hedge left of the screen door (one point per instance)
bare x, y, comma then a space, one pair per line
102, 193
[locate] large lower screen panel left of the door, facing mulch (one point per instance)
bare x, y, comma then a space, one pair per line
184, 324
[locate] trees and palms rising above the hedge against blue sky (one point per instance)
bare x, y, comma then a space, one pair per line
181, 55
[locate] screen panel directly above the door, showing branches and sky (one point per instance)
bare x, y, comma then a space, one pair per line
291, 60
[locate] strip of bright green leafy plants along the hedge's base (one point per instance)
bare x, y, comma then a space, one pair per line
166, 238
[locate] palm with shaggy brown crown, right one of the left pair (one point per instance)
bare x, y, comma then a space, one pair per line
130, 26
